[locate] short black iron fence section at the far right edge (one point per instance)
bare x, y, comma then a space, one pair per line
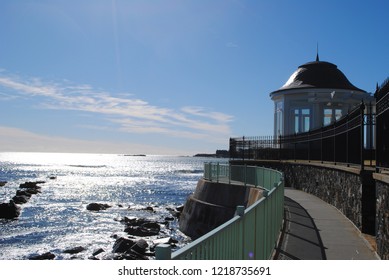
382, 125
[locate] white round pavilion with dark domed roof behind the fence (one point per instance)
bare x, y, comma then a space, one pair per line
315, 95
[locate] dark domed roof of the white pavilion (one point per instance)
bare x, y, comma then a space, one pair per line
318, 74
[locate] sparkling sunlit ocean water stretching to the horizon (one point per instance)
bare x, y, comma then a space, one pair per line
56, 219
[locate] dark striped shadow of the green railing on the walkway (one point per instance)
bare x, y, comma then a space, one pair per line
300, 238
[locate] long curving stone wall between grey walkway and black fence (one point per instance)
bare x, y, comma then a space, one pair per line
343, 187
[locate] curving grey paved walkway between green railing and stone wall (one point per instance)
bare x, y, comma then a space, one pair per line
315, 230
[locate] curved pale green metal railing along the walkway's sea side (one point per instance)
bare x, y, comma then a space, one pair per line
253, 232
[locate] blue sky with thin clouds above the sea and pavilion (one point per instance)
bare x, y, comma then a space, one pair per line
168, 76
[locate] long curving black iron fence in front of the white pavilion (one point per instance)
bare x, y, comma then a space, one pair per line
348, 140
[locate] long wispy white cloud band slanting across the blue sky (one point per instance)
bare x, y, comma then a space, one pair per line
125, 111
